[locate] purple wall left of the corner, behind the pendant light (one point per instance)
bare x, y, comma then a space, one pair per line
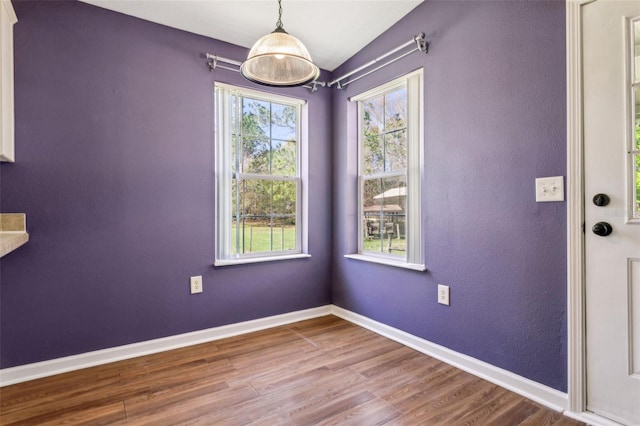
114, 148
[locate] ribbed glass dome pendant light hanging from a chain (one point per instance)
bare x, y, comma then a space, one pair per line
279, 59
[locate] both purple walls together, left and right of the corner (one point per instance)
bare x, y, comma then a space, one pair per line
114, 169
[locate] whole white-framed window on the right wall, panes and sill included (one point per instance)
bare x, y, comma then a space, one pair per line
390, 171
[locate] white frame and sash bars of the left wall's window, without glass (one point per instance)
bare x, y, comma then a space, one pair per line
224, 175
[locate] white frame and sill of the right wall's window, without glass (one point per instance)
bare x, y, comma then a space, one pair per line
414, 258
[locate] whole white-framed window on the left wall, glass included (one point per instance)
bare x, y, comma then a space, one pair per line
259, 196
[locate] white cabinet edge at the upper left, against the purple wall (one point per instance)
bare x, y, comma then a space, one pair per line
7, 19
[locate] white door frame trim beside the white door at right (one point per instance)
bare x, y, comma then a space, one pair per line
576, 314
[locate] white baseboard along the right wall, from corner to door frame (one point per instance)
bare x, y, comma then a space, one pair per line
535, 391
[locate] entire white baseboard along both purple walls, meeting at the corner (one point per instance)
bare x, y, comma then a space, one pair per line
542, 394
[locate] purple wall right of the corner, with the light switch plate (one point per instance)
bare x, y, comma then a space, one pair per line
494, 121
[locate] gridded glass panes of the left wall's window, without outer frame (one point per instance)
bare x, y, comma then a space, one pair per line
269, 149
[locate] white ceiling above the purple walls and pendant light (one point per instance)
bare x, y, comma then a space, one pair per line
332, 30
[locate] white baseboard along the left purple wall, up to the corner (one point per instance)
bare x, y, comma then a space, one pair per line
23, 373
